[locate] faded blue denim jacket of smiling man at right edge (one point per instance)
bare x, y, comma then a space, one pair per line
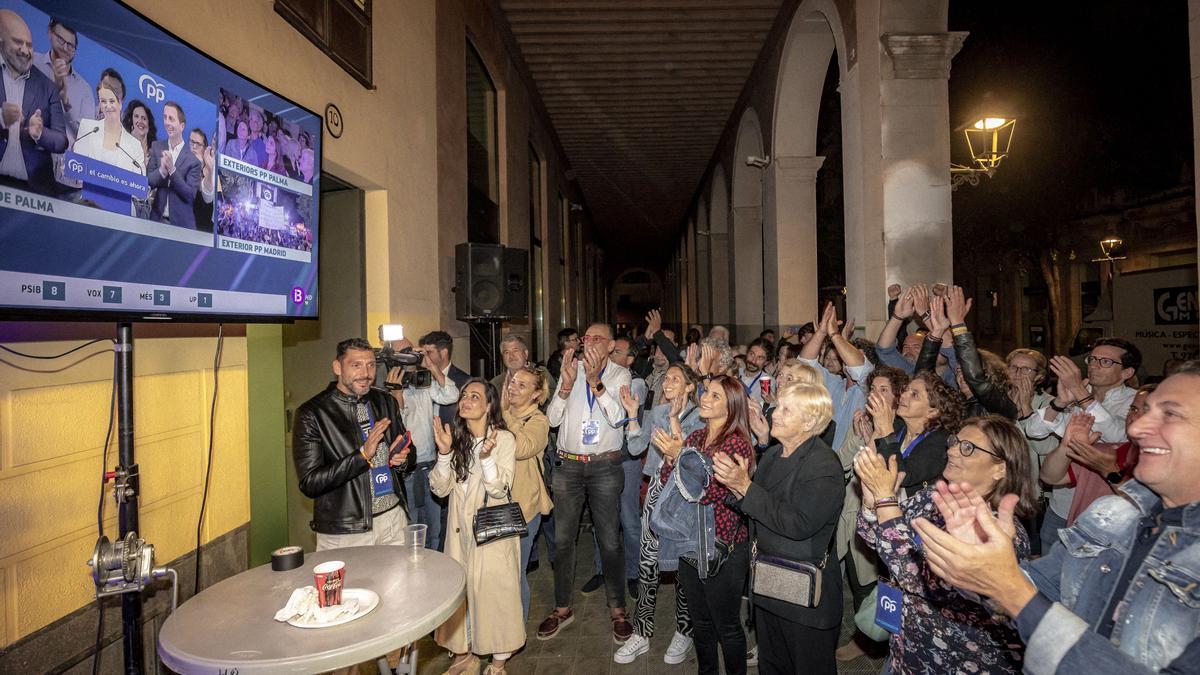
1161, 614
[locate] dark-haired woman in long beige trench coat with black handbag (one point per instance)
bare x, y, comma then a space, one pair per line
477, 456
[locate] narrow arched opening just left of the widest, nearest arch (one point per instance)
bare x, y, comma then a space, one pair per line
749, 176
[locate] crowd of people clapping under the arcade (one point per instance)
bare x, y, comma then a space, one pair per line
987, 513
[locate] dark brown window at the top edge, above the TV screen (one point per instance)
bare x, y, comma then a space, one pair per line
339, 28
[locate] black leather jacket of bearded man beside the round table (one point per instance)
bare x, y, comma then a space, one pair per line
326, 450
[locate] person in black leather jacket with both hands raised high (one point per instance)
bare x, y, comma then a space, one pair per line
982, 377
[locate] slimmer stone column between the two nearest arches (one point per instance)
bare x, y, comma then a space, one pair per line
793, 253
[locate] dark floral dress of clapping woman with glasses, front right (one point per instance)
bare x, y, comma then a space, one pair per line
941, 631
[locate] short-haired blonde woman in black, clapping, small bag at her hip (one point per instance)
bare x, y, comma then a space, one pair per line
794, 504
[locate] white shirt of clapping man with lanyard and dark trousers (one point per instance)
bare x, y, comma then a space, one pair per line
605, 410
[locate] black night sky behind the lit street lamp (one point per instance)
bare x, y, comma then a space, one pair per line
1102, 92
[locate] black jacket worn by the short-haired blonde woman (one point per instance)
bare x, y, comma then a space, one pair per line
794, 505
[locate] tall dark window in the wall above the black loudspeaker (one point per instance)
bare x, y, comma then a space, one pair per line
483, 159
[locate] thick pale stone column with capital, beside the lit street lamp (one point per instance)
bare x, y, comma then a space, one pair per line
916, 159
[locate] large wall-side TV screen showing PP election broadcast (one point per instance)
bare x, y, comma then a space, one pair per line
142, 180
